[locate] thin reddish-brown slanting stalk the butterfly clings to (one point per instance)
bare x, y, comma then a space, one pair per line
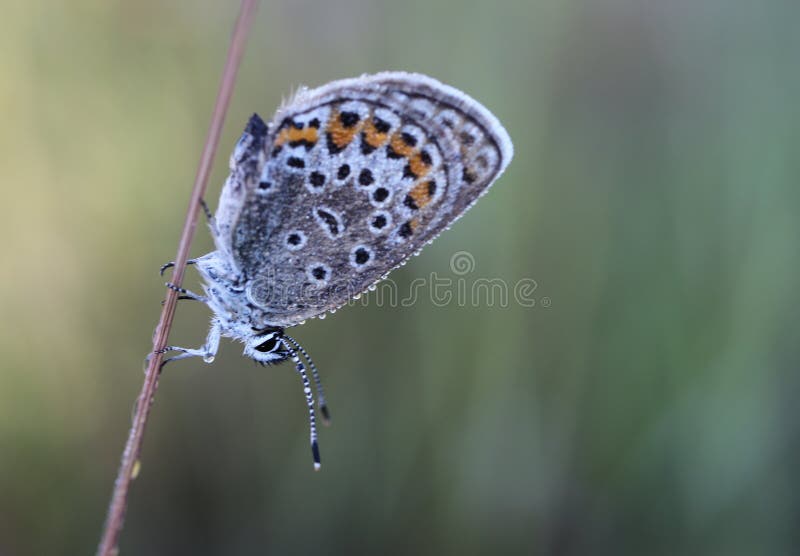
130, 456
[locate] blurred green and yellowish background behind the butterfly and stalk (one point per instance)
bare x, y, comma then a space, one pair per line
651, 408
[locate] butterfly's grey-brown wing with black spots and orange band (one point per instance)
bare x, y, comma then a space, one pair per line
347, 182
